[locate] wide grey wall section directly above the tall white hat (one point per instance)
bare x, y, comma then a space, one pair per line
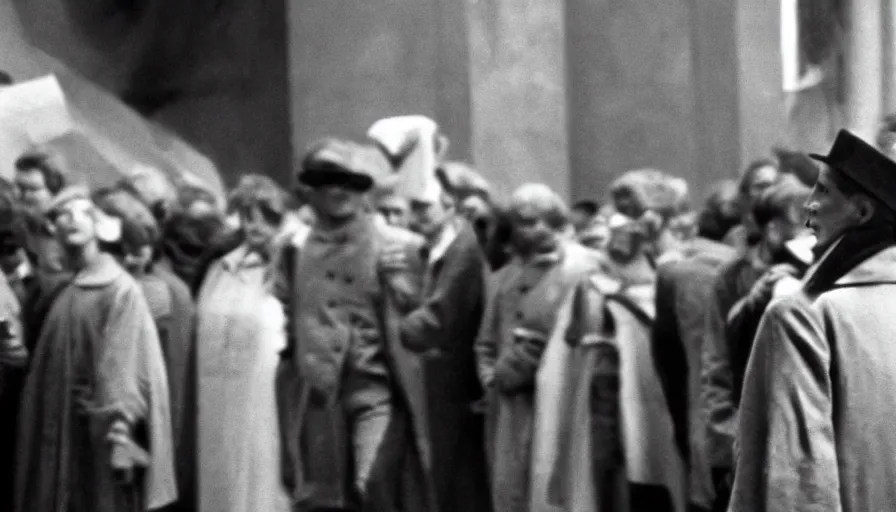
355, 61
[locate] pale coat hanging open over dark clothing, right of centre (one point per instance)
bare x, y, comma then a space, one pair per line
614, 383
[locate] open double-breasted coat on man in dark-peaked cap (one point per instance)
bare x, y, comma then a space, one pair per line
316, 466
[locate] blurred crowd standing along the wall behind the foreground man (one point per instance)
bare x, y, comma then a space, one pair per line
390, 335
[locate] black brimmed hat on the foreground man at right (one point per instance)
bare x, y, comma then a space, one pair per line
865, 165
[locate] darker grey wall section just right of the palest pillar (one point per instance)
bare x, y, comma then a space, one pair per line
631, 91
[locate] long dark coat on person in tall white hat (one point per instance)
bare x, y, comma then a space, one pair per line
443, 329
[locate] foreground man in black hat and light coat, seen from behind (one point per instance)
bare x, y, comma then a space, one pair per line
815, 426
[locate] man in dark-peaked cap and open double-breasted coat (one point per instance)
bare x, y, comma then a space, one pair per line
355, 429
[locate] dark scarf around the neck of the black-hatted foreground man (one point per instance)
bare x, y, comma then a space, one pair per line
845, 254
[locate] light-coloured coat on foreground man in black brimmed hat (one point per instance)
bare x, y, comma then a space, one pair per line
815, 426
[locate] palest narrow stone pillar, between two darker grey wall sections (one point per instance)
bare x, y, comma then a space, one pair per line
518, 89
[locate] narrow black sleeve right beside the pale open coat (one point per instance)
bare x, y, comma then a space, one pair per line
670, 358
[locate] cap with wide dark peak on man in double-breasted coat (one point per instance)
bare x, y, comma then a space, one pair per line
335, 162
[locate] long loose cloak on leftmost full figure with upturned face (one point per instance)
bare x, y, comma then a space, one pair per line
97, 363
